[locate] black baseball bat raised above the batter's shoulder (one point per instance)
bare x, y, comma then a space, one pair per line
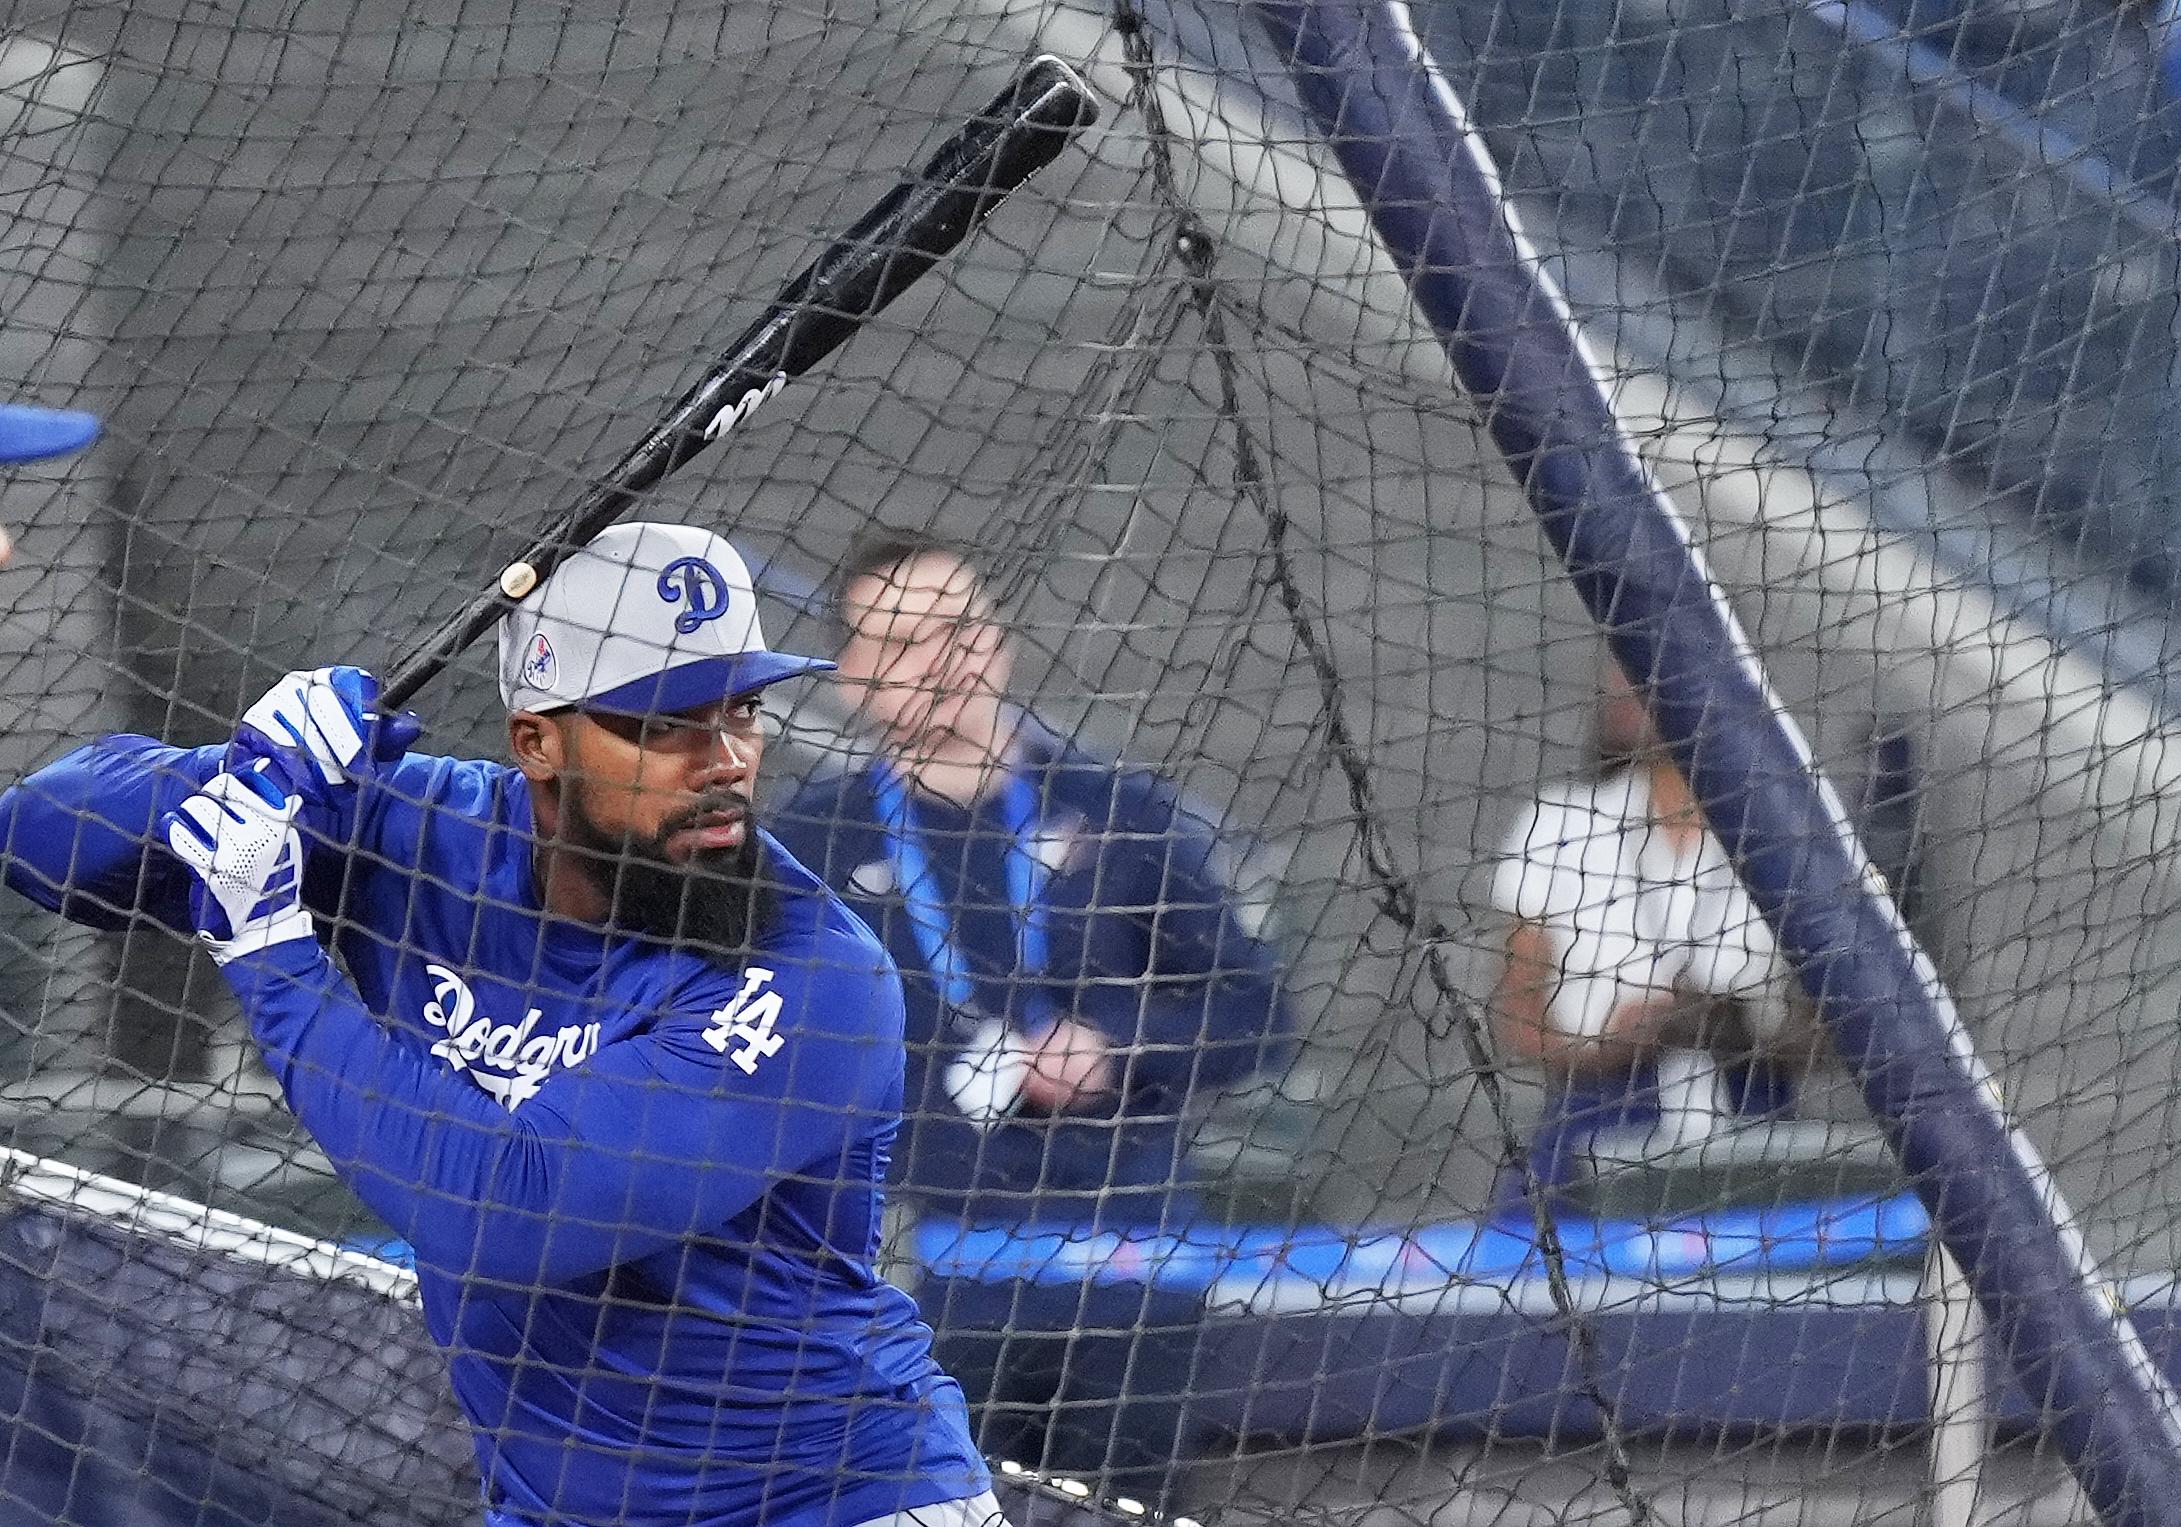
889, 250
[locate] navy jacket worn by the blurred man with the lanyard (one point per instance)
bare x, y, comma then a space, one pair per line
1148, 943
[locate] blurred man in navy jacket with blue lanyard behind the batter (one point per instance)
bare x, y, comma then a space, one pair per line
1083, 978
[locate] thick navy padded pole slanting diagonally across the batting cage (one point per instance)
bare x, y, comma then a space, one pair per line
1406, 145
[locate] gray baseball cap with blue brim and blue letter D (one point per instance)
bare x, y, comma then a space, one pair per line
647, 618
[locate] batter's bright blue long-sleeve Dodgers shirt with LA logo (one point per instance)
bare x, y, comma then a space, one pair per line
644, 1188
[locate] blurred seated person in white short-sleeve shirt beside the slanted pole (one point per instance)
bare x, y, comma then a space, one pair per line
1637, 970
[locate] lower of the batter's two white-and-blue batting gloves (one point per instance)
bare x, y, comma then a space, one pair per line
239, 839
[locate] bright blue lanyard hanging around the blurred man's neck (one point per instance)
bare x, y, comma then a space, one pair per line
926, 900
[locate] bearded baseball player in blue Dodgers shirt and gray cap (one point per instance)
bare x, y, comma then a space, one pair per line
614, 1063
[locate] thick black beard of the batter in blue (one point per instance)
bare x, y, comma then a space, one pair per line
716, 900
